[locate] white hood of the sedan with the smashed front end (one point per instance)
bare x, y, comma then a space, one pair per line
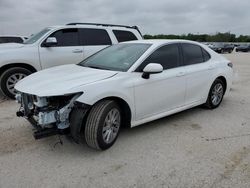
61, 80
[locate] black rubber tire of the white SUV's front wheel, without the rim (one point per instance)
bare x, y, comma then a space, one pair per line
4, 77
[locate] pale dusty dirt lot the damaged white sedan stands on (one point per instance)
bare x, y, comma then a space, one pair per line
195, 148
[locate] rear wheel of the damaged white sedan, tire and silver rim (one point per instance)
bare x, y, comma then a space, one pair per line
214, 91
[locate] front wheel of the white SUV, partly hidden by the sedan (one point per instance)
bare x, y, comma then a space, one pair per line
10, 77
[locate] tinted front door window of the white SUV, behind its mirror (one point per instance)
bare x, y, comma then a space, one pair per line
66, 37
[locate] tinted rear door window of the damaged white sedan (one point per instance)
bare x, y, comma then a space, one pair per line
192, 54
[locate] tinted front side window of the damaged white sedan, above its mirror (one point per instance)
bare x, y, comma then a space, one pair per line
168, 56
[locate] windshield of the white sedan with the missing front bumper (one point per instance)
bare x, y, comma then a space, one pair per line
119, 57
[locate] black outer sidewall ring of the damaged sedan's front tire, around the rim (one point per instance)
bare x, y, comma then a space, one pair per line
102, 144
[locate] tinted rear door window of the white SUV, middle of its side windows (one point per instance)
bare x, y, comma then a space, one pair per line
90, 37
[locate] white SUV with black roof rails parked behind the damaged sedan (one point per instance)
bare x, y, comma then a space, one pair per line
57, 45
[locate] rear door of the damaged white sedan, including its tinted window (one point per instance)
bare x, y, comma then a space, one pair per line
199, 74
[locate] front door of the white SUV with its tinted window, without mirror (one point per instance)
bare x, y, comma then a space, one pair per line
67, 51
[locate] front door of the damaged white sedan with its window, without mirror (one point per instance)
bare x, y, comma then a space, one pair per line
163, 91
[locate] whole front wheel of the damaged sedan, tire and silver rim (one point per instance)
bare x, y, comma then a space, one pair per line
100, 133
